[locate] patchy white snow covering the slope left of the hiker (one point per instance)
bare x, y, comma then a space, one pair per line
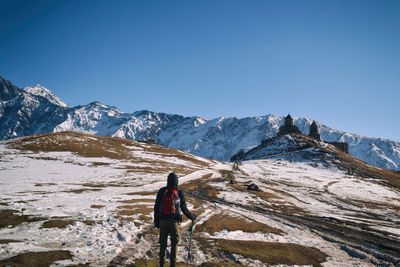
71, 187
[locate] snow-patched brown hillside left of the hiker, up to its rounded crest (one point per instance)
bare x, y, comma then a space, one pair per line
81, 193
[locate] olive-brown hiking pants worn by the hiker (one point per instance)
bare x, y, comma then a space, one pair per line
172, 228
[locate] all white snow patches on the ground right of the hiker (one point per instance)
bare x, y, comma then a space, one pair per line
321, 191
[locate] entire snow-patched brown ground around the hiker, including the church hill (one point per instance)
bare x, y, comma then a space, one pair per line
83, 199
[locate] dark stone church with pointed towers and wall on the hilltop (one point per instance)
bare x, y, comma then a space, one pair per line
289, 128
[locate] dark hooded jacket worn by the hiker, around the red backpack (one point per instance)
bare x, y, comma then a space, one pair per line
172, 183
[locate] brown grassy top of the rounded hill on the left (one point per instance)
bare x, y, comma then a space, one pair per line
155, 159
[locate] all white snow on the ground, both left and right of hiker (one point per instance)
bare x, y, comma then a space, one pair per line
63, 184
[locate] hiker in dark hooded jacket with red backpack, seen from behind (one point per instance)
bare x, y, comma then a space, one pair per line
170, 200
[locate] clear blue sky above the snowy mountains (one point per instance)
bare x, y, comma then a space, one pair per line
337, 62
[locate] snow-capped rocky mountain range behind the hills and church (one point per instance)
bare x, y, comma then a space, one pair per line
31, 111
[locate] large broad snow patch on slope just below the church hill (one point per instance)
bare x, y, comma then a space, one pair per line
320, 189
